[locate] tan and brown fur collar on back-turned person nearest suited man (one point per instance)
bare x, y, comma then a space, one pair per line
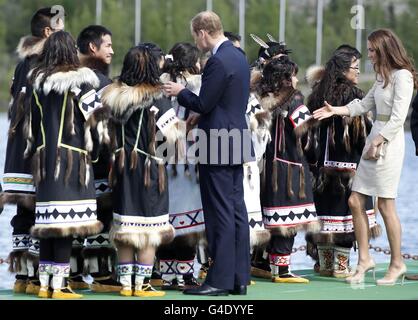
124, 100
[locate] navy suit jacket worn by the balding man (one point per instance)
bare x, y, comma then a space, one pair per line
222, 104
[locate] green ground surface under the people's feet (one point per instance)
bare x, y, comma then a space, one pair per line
319, 288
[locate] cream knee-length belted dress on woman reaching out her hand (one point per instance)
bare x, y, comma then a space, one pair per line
381, 178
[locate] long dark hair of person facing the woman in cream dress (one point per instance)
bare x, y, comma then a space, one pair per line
334, 85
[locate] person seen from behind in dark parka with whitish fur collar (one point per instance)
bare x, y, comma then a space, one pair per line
65, 109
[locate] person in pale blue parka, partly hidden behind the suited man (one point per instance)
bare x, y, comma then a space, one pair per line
186, 214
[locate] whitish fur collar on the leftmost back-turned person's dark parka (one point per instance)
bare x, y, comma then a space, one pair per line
60, 82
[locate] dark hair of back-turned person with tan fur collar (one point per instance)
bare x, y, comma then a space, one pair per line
140, 65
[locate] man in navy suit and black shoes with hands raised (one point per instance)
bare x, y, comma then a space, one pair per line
222, 104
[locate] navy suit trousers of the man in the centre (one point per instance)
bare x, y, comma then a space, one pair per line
227, 227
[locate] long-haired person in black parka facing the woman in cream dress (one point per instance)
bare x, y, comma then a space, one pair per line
340, 141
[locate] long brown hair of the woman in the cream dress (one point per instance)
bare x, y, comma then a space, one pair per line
391, 54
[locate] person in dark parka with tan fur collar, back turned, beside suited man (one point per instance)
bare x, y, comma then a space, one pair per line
141, 115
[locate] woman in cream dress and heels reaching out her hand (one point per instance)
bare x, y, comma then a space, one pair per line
379, 170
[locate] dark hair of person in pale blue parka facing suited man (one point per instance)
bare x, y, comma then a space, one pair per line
185, 58
